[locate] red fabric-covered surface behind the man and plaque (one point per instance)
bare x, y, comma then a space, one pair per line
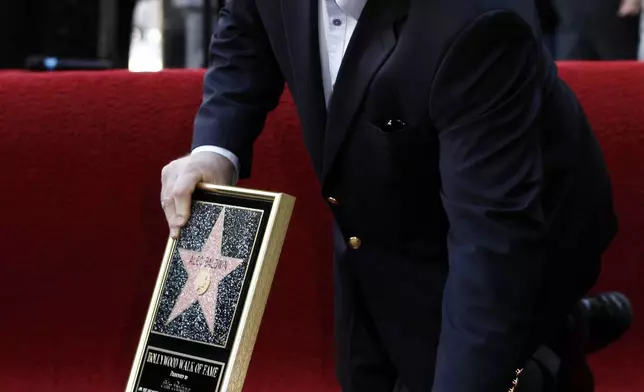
82, 231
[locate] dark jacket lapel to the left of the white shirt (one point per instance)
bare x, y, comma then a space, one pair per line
301, 28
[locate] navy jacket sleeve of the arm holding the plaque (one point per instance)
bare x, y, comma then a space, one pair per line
242, 84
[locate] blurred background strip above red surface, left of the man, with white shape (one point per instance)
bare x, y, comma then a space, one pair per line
167, 32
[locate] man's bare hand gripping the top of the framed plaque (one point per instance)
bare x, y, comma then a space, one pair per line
179, 179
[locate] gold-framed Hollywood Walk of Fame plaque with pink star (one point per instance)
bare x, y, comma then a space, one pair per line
211, 292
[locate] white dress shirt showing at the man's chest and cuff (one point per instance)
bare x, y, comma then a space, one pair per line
336, 24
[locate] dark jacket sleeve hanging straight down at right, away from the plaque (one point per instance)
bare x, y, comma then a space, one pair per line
485, 105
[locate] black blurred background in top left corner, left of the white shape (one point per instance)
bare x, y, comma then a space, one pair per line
65, 29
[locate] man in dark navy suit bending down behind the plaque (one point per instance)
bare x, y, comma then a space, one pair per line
471, 200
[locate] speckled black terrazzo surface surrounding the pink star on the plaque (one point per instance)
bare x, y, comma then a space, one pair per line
240, 228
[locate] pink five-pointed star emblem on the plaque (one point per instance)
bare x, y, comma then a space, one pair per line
205, 271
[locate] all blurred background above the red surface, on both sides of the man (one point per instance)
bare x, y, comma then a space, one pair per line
147, 35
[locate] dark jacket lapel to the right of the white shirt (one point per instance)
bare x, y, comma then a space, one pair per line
372, 42
